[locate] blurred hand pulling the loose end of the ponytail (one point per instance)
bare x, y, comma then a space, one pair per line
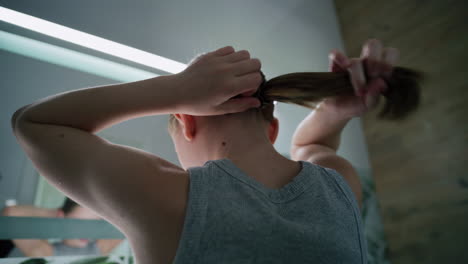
378, 63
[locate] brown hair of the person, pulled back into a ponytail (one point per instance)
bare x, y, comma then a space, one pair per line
308, 89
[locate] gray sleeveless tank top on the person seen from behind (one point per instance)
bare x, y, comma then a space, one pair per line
232, 218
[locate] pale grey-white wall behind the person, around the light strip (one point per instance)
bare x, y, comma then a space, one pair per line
287, 36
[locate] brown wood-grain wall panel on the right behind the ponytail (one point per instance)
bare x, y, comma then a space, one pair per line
420, 165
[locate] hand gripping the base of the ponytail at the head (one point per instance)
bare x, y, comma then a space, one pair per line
208, 85
